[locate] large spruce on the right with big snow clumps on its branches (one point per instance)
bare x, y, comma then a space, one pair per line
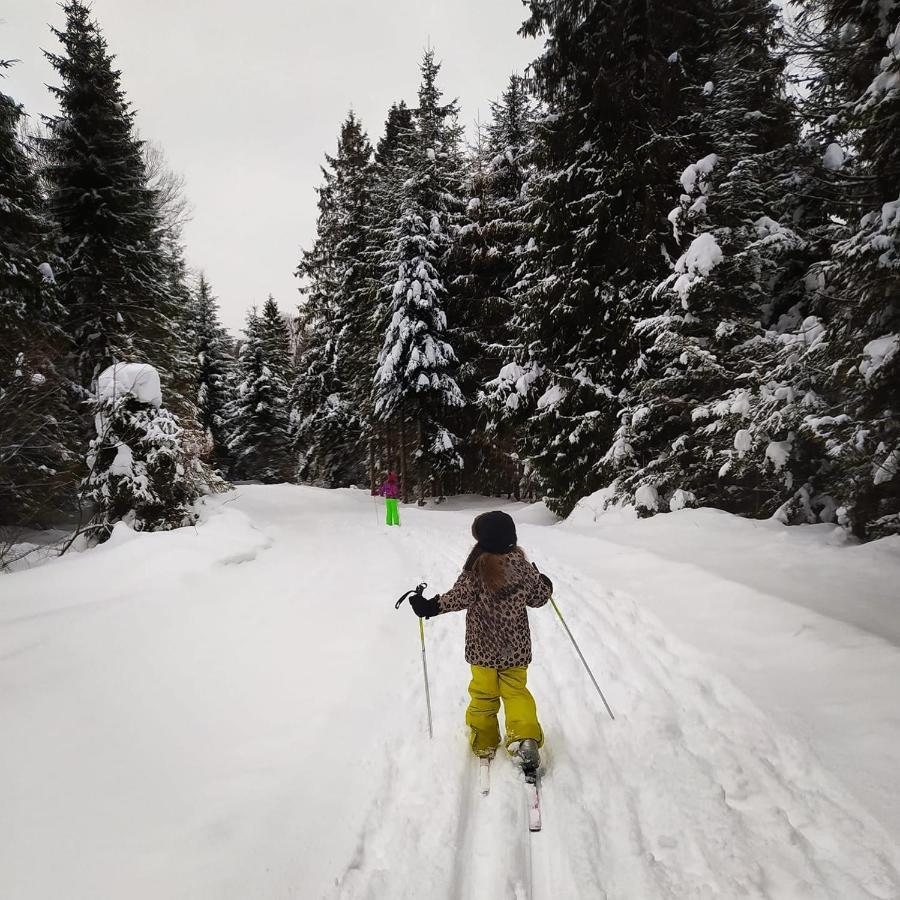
711, 415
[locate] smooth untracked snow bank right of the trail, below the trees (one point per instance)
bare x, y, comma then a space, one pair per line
802, 618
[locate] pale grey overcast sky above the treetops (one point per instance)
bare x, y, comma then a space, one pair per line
246, 97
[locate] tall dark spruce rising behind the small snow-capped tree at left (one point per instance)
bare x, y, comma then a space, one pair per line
114, 281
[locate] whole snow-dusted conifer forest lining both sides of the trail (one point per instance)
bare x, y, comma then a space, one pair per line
668, 266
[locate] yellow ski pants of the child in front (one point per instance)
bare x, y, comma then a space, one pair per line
487, 688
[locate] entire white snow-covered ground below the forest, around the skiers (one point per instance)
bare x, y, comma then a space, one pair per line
236, 710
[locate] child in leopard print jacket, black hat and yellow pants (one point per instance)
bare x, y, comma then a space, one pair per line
495, 588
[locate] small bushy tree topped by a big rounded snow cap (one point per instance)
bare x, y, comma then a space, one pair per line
139, 470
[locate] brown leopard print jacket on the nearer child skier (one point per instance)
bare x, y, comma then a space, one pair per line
497, 633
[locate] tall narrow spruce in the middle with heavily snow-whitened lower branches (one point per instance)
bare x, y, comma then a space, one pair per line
415, 380
